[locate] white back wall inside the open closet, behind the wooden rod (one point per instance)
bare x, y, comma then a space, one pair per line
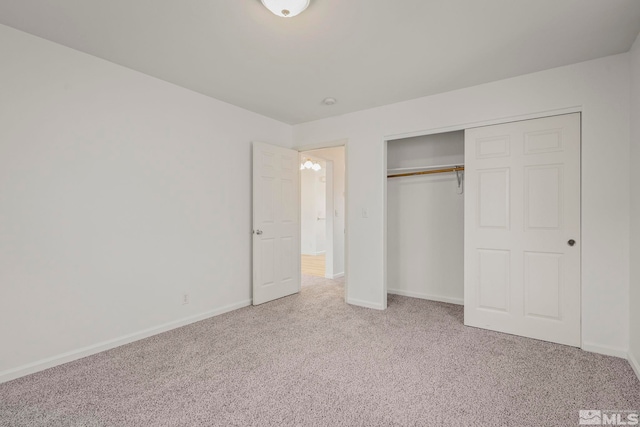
425, 220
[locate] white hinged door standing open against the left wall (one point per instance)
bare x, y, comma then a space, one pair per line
276, 222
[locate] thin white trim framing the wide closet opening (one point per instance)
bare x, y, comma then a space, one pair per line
458, 127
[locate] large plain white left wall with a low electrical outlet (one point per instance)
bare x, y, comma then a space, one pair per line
118, 192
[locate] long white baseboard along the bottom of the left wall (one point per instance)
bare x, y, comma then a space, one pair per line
70, 356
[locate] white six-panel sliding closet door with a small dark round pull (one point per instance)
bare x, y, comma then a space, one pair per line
522, 228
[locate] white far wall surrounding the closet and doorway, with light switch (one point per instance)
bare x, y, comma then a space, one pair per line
599, 88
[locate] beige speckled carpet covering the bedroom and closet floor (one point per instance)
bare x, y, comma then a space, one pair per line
312, 360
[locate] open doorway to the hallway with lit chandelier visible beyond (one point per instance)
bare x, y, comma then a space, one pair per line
322, 216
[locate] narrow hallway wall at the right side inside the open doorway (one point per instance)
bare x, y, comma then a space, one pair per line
335, 209
